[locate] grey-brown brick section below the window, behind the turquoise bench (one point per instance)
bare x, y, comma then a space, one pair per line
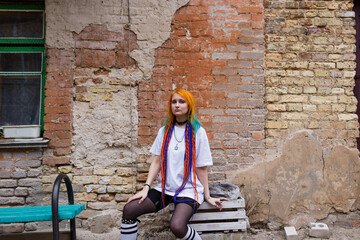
20, 183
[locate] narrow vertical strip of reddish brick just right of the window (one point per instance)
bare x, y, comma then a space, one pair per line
58, 105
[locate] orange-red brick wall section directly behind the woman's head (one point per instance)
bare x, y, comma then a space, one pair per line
216, 51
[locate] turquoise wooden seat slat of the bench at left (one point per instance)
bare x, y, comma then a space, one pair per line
39, 213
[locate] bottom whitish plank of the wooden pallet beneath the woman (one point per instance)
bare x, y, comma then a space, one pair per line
221, 226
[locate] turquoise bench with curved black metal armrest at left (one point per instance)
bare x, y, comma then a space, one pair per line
54, 213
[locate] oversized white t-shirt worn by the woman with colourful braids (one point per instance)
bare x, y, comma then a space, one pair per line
175, 162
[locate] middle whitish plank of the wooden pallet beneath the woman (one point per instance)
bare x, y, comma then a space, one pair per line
208, 216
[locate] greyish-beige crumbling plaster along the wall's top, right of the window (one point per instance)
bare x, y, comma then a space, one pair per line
149, 20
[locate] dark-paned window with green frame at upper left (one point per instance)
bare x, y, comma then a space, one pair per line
22, 62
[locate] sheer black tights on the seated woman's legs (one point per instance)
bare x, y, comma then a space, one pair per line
178, 221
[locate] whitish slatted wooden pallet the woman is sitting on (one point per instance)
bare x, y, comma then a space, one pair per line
210, 219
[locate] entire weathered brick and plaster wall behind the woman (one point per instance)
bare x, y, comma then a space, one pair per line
265, 74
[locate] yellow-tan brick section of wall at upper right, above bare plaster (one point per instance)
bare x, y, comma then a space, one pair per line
310, 69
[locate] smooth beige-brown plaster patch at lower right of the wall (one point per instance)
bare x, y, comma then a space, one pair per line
304, 184
